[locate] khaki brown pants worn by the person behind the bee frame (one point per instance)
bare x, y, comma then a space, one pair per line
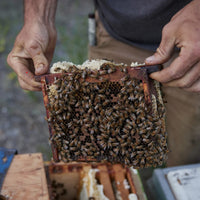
183, 108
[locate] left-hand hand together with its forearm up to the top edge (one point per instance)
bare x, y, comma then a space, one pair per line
34, 46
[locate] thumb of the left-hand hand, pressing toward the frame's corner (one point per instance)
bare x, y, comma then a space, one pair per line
40, 61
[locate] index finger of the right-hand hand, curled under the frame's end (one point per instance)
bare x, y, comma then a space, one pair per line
177, 68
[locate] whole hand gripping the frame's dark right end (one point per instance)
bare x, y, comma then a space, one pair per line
183, 31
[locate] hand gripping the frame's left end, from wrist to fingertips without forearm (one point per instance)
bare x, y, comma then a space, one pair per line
32, 53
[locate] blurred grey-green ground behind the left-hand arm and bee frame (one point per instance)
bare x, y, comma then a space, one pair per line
22, 114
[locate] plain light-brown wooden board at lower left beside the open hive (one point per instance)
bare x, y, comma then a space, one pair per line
26, 178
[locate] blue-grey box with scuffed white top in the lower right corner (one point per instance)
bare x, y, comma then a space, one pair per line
175, 183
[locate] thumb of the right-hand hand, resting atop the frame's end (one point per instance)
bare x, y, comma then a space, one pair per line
165, 49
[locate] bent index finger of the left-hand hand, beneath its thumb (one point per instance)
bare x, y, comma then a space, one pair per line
20, 66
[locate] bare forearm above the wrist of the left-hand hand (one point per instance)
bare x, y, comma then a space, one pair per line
43, 10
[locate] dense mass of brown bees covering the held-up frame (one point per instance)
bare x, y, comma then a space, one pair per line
105, 120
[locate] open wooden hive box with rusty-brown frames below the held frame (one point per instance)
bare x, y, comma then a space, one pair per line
69, 181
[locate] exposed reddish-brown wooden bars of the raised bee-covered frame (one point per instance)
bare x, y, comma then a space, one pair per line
138, 72
